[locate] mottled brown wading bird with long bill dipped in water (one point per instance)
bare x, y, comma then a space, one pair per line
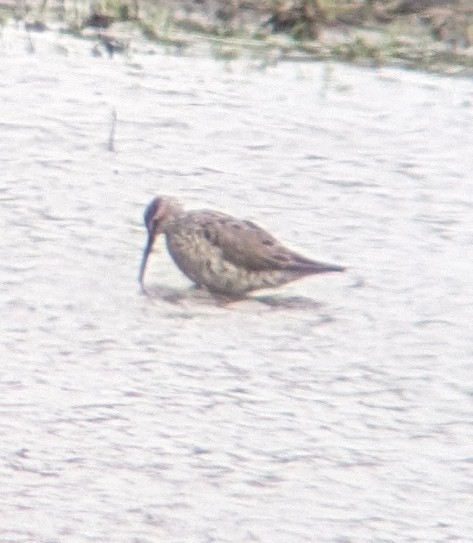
225, 255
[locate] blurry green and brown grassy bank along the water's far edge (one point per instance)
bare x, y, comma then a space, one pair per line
416, 33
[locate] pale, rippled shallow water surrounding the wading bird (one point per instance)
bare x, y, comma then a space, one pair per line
339, 412
